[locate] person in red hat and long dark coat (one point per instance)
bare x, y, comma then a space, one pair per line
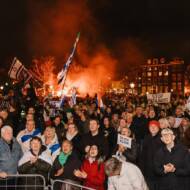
152, 143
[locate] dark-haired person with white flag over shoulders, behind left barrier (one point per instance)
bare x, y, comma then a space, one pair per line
35, 161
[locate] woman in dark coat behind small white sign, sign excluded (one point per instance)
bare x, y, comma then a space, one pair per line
124, 153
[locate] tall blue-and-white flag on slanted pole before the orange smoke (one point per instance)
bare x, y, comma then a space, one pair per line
63, 73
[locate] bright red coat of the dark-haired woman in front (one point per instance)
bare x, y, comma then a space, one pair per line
95, 174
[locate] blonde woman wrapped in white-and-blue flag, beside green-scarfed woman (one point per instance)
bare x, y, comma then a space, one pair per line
50, 140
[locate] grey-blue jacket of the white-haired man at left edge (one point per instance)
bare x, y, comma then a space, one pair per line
9, 158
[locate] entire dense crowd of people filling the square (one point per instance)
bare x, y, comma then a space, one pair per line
79, 143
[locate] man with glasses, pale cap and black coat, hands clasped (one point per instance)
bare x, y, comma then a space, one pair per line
171, 163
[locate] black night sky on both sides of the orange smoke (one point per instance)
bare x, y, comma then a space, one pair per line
163, 26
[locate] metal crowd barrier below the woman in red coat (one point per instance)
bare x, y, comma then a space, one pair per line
68, 185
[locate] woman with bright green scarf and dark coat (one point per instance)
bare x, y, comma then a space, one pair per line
65, 164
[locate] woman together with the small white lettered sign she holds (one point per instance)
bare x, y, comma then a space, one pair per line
127, 147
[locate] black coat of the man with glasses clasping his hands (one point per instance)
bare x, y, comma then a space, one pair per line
179, 157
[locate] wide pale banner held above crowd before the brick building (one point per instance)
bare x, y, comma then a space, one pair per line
159, 98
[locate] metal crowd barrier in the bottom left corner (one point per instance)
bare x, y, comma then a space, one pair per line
23, 182
